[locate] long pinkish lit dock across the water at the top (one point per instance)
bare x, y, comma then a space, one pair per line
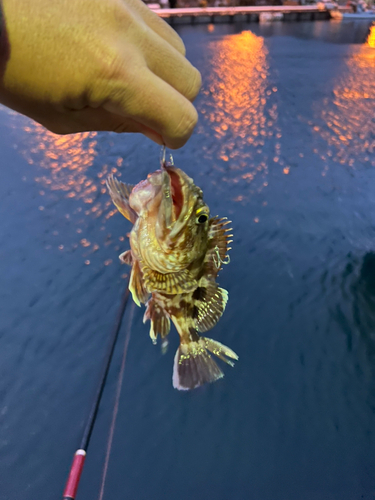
193, 15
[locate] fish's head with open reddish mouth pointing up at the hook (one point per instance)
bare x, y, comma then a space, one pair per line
170, 199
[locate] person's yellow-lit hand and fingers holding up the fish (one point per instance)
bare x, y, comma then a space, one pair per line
79, 65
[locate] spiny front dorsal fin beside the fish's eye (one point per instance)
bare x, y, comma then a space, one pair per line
218, 245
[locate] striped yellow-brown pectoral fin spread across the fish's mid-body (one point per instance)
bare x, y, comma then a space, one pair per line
169, 283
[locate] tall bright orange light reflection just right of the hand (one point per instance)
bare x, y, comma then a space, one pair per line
241, 110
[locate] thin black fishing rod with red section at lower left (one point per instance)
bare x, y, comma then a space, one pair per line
76, 468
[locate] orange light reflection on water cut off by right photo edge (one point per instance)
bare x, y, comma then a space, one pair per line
349, 120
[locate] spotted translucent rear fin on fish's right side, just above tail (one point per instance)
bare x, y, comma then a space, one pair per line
210, 301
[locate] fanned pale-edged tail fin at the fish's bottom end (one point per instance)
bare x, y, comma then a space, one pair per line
194, 366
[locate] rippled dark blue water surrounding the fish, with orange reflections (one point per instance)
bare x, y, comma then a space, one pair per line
285, 148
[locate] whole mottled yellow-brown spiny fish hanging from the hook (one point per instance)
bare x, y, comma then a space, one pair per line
176, 252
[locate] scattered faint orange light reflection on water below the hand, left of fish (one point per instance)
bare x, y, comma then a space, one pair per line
68, 164
